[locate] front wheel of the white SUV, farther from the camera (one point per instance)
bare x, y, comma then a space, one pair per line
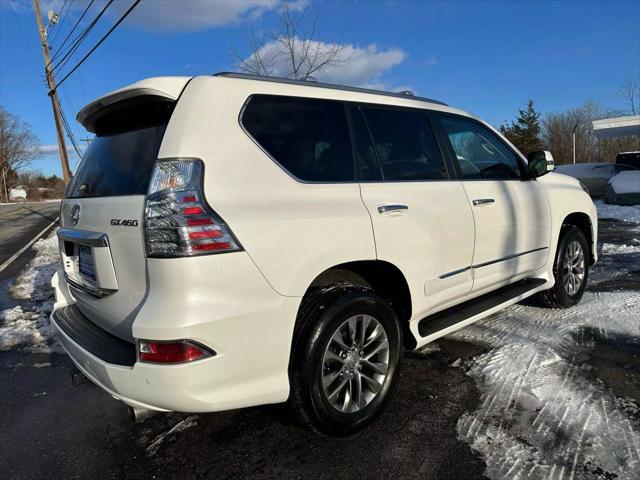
570, 270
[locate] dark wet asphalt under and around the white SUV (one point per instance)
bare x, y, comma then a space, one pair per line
50, 429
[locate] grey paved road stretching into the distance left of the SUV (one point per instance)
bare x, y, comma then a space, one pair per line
19, 223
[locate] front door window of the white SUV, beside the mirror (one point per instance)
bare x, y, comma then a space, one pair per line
480, 153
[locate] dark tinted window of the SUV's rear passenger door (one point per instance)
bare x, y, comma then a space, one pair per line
405, 144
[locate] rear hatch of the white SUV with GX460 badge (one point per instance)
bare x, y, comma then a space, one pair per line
101, 236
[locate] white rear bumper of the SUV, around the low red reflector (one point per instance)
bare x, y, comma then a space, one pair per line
249, 327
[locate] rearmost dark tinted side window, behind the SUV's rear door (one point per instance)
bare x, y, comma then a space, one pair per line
307, 137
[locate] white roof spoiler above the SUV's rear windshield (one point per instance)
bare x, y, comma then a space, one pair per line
162, 88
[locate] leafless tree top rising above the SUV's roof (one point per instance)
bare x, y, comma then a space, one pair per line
290, 50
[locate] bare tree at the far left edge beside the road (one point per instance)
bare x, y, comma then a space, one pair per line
18, 146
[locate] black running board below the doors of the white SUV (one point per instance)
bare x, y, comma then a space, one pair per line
464, 311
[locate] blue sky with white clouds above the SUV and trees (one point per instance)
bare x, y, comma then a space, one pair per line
486, 57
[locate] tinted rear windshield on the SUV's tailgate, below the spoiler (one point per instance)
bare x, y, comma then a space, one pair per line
118, 164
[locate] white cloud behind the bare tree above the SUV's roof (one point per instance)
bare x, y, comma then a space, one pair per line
354, 66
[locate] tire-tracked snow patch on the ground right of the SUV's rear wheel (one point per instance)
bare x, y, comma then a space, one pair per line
541, 414
